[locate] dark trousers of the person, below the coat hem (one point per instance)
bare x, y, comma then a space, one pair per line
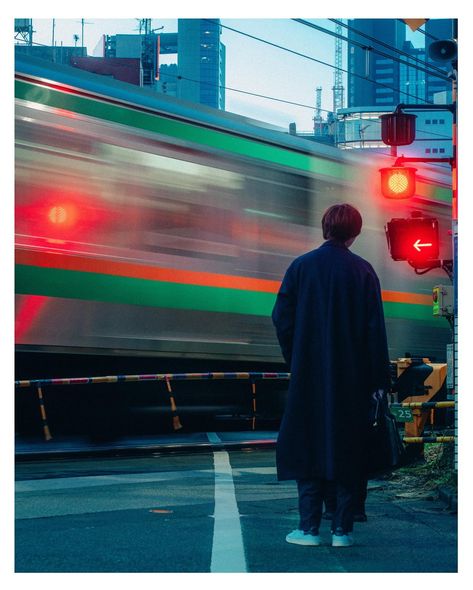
311, 498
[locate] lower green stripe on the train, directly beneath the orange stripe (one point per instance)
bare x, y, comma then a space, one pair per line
52, 282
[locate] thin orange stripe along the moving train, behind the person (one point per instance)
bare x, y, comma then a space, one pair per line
207, 279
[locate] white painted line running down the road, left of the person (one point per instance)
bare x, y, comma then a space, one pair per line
228, 553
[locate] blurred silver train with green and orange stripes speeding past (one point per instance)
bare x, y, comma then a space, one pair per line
150, 227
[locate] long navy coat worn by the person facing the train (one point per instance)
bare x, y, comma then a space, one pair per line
330, 325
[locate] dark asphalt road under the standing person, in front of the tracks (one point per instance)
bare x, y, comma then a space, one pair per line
212, 511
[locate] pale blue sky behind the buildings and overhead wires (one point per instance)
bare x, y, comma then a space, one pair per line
251, 65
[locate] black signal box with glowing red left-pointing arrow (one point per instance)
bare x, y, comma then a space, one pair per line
415, 240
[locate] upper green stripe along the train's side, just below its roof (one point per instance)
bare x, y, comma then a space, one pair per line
181, 130
